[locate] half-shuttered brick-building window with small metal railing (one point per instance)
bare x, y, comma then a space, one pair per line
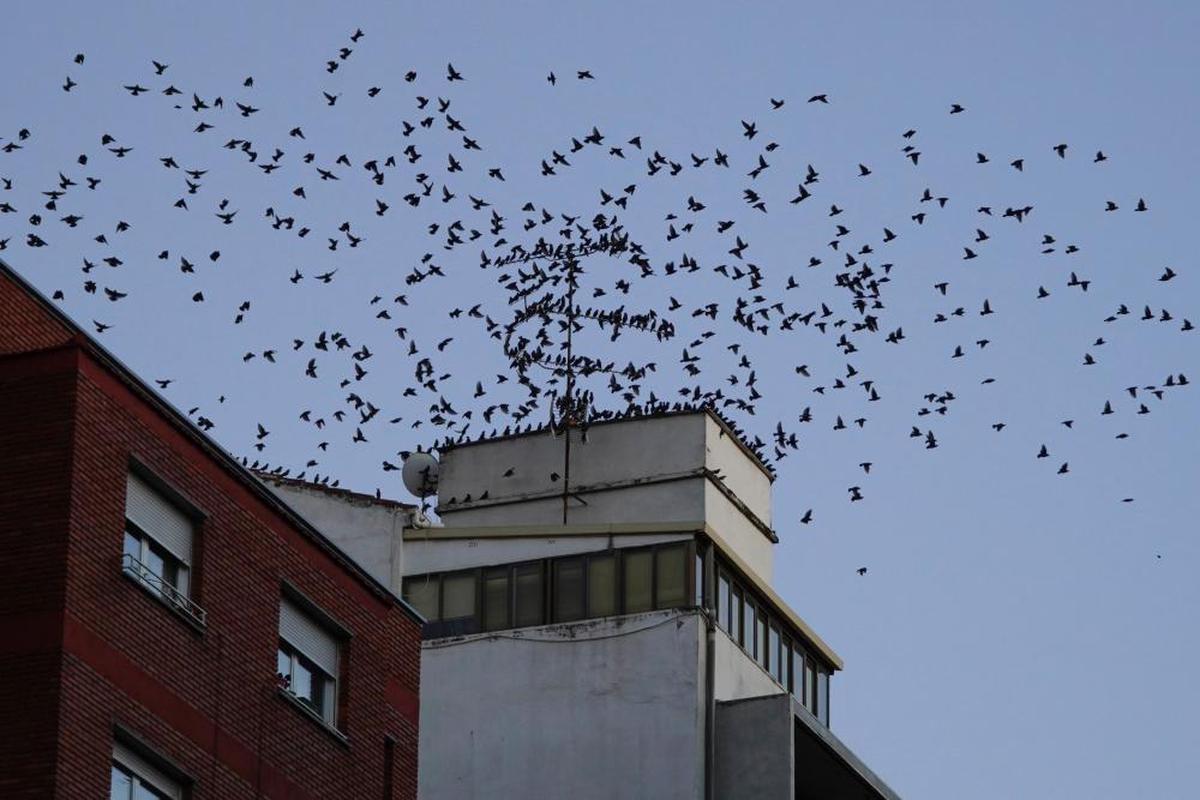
158, 546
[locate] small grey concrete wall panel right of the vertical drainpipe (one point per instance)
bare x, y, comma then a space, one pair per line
754, 750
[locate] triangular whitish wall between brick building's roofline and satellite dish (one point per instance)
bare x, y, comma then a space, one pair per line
369, 533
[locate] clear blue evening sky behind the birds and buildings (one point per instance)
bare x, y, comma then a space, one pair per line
1019, 634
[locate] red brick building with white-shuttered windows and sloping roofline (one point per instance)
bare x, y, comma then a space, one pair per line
169, 628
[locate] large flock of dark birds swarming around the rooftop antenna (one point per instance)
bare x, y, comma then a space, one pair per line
587, 273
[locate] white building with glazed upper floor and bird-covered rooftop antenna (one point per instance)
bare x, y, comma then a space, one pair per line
635, 652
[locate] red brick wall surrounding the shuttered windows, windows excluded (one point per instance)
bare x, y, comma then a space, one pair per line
205, 700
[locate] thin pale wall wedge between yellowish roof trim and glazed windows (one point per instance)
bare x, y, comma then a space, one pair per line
440, 556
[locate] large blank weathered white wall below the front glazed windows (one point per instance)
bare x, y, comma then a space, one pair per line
590, 711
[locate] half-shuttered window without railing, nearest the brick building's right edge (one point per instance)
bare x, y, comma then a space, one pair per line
308, 664
